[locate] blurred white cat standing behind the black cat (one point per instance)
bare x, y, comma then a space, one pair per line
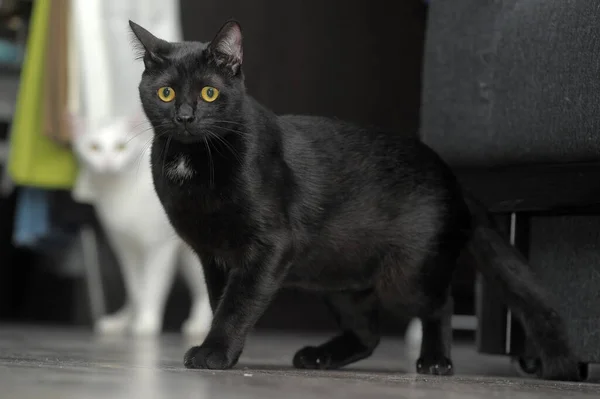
115, 177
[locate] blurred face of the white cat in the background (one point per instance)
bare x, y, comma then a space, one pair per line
111, 149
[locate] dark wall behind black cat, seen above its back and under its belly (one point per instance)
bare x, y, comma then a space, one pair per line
356, 60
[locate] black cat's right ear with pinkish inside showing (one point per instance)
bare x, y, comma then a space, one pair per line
226, 48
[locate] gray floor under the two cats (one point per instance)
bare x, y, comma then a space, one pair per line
45, 363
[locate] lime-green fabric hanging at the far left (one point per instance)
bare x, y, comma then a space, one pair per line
34, 159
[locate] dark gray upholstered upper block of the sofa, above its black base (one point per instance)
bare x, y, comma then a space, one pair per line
512, 82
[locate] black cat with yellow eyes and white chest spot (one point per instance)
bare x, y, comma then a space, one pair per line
370, 218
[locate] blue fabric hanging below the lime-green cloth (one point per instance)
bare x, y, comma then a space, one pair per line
32, 217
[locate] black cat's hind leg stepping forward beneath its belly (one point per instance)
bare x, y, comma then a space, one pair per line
357, 315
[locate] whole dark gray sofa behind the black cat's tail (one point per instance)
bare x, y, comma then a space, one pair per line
511, 99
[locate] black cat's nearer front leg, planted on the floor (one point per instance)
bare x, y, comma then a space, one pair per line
248, 292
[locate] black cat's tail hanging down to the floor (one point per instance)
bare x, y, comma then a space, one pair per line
507, 270
